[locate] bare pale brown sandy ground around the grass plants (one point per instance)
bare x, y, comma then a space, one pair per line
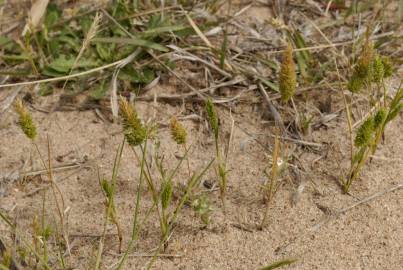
368, 236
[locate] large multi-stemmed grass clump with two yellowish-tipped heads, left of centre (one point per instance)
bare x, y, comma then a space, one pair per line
160, 183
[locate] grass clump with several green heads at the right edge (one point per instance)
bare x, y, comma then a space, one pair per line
370, 72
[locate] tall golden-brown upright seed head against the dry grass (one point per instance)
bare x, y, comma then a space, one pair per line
288, 78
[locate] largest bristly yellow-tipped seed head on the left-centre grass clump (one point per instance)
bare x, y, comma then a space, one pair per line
134, 130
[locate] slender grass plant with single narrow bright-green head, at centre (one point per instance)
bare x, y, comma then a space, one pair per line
221, 167
